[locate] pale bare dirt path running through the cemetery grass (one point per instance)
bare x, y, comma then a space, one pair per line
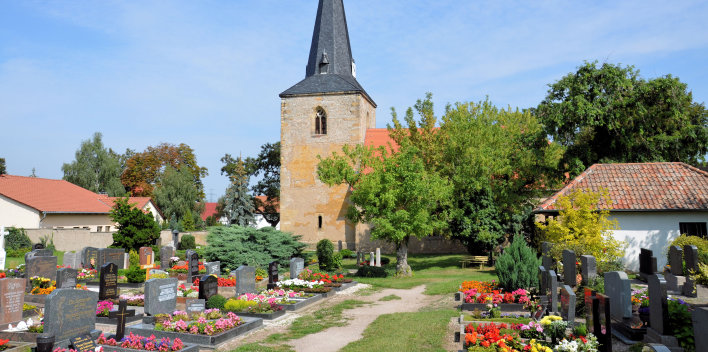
333, 339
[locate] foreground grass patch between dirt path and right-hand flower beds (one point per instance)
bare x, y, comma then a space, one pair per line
419, 331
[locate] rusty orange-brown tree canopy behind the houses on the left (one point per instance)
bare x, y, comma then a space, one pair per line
144, 170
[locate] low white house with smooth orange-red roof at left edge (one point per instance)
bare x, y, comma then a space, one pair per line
39, 203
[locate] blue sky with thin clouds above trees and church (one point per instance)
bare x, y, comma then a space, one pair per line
208, 73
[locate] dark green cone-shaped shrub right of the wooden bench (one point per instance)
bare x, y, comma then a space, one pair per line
517, 267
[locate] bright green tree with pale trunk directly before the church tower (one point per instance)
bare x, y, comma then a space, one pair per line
392, 191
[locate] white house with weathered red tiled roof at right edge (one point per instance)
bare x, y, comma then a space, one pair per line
653, 203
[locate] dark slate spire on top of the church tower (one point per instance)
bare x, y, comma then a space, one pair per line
330, 66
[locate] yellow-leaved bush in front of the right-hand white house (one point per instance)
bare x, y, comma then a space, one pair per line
583, 228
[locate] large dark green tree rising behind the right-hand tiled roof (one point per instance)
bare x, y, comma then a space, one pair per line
610, 114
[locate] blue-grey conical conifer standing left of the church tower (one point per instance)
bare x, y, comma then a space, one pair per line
238, 204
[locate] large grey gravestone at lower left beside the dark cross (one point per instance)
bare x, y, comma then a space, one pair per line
69, 313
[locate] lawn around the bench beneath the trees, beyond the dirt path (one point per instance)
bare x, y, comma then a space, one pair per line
440, 273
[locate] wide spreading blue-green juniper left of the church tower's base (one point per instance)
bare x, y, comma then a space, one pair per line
235, 246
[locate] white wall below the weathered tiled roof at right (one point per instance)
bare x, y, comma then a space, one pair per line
651, 230
